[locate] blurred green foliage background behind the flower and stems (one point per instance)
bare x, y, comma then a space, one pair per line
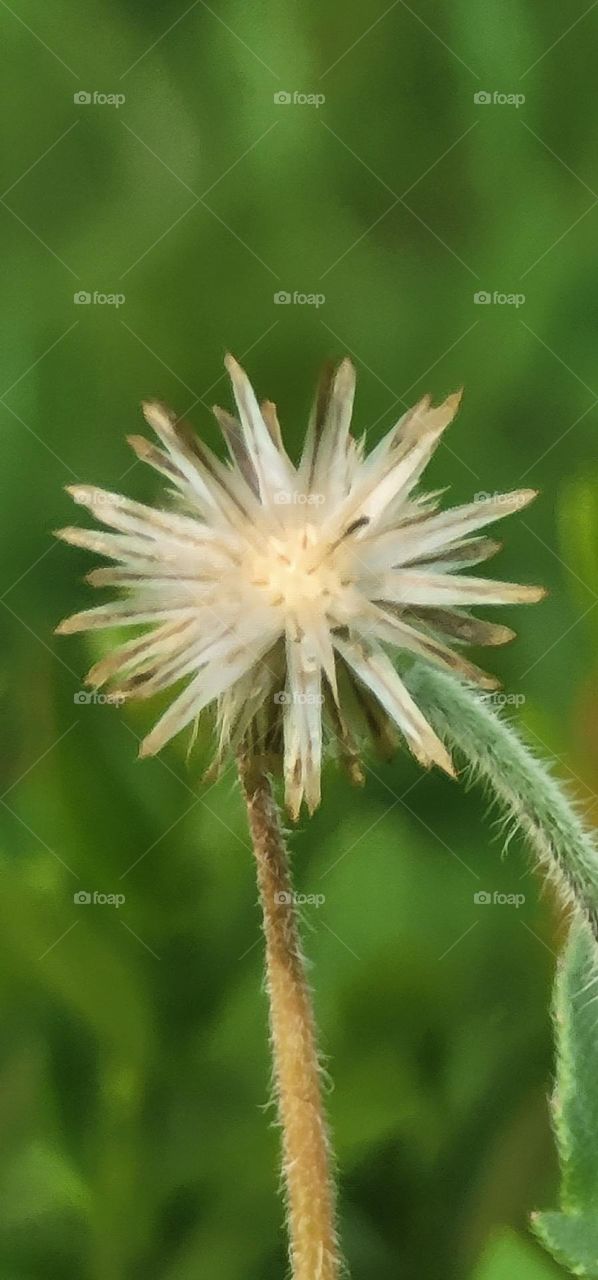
134, 1059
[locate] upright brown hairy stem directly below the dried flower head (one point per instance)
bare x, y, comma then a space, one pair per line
307, 1154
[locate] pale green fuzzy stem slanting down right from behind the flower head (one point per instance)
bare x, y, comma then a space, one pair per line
523, 785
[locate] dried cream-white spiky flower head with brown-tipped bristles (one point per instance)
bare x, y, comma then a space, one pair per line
267, 579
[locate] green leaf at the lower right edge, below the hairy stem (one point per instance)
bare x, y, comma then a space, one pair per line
572, 1236
